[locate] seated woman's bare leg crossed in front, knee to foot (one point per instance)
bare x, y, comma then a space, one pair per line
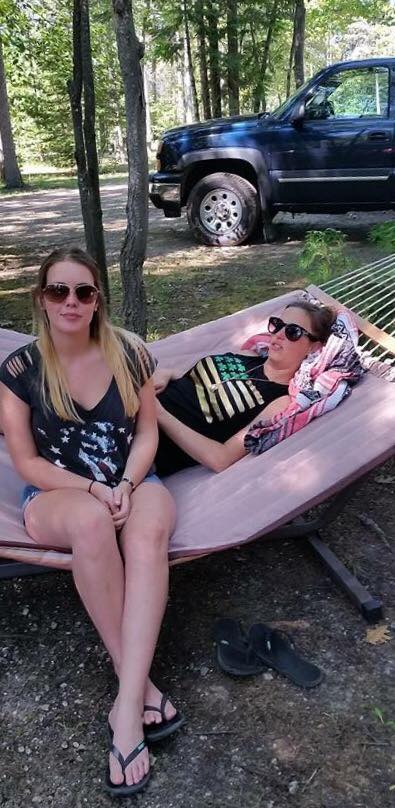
144, 541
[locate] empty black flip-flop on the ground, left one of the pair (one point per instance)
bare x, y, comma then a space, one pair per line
234, 652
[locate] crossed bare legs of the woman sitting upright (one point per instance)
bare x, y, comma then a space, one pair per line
125, 597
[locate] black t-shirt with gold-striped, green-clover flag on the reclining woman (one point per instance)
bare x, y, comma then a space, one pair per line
219, 396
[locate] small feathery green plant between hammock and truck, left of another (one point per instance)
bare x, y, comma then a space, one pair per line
323, 255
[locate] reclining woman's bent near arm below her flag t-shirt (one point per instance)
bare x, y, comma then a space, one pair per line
211, 453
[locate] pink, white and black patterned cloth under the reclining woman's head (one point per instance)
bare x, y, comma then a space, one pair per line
323, 380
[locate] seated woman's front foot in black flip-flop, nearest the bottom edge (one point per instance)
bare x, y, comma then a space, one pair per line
128, 733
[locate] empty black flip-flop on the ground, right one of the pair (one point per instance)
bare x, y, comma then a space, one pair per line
274, 649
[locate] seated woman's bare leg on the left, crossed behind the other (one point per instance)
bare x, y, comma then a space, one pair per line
75, 520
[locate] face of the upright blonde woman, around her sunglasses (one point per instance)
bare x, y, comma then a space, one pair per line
70, 316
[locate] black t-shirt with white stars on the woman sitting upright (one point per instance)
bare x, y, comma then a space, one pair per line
99, 447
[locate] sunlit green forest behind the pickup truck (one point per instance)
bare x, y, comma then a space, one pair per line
203, 58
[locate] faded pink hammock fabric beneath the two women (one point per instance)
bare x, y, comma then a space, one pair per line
255, 495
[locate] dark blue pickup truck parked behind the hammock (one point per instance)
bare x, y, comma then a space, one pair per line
328, 148
